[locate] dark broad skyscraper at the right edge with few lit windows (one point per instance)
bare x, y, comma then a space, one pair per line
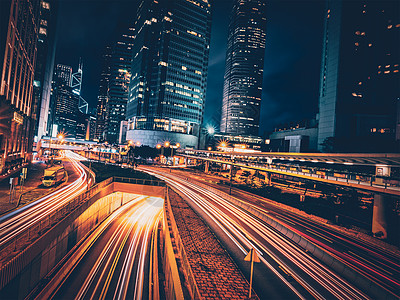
359, 87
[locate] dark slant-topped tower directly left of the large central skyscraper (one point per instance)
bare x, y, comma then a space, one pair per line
121, 59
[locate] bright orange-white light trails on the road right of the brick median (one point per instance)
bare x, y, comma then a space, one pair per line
248, 230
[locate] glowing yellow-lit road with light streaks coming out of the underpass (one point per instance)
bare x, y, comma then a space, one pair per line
113, 262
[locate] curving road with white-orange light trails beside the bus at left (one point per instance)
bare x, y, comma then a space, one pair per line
19, 220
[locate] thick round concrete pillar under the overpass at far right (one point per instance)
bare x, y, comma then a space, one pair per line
379, 220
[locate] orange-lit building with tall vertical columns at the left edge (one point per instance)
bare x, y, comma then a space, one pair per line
18, 45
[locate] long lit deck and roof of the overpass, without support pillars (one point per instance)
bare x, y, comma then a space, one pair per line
269, 162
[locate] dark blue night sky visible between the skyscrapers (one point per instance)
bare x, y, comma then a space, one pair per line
292, 58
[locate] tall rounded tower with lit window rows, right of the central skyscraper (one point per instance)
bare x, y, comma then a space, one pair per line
244, 68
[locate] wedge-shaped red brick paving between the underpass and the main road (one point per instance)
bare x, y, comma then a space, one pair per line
216, 275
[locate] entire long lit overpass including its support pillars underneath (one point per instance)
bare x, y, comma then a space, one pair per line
368, 172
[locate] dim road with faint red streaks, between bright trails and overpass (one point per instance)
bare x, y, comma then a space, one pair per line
376, 263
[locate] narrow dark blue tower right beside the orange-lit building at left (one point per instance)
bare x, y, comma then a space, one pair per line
44, 64
